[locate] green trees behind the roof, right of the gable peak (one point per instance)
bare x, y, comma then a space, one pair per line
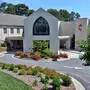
64, 15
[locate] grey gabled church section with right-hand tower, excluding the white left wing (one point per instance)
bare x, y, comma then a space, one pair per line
43, 26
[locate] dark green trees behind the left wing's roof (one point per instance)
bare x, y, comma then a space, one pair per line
18, 9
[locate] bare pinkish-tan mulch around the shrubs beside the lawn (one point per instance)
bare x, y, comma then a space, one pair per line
28, 79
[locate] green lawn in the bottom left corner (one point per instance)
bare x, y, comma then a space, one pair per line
7, 82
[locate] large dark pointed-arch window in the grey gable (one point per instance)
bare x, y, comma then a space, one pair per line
41, 27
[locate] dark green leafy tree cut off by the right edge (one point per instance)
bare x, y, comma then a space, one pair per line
86, 56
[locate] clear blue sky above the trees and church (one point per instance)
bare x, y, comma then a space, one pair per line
80, 6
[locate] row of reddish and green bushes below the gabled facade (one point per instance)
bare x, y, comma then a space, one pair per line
38, 55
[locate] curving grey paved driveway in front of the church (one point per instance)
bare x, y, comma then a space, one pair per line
72, 67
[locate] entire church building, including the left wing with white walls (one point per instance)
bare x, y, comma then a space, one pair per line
20, 31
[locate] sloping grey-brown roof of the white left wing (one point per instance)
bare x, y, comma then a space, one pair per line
9, 19
